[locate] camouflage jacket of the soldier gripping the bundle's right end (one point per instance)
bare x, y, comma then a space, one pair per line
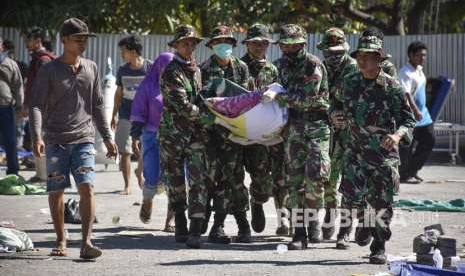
306, 81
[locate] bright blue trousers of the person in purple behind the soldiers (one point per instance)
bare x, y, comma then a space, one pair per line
151, 162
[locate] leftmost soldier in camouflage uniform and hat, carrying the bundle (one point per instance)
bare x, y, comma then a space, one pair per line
182, 137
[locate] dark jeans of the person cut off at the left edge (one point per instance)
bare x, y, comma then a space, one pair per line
8, 133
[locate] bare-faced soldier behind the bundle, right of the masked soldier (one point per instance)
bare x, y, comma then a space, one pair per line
265, 164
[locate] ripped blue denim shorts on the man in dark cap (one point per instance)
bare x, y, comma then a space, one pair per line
77, 159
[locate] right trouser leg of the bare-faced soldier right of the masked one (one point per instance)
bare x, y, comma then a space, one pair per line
277, 158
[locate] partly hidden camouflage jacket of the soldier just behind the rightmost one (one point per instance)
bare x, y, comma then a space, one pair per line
336, 80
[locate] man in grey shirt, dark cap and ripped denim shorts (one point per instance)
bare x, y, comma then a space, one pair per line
66, 102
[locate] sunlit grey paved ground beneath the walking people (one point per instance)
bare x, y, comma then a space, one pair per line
158, 254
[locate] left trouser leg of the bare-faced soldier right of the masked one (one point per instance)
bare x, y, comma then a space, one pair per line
257, 164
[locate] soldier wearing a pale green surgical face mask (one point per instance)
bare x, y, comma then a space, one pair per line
225, 158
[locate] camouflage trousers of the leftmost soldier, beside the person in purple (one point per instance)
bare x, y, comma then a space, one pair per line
180, 154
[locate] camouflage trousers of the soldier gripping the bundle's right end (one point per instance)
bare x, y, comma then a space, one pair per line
308, 163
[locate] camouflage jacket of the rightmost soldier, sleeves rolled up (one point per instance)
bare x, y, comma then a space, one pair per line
374, 109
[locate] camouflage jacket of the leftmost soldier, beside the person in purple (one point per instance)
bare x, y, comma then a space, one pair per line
180, 85
